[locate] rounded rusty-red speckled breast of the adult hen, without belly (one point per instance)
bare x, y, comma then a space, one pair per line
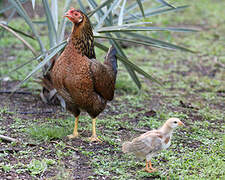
72, 74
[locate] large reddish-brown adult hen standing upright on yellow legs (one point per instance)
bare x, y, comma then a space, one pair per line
82, 81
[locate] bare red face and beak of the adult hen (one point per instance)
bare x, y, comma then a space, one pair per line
76, 16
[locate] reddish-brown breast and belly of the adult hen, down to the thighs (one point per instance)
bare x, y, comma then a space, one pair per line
73, 79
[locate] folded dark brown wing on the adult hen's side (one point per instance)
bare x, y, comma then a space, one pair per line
103, 79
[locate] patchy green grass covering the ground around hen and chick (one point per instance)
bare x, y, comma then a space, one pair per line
197, 150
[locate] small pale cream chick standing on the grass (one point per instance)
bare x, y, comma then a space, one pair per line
151, 142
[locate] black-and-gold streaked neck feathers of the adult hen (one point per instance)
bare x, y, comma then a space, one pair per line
82, 38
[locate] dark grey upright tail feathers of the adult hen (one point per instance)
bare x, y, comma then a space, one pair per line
111, 58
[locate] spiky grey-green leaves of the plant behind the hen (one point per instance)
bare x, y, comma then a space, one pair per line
114, 28
